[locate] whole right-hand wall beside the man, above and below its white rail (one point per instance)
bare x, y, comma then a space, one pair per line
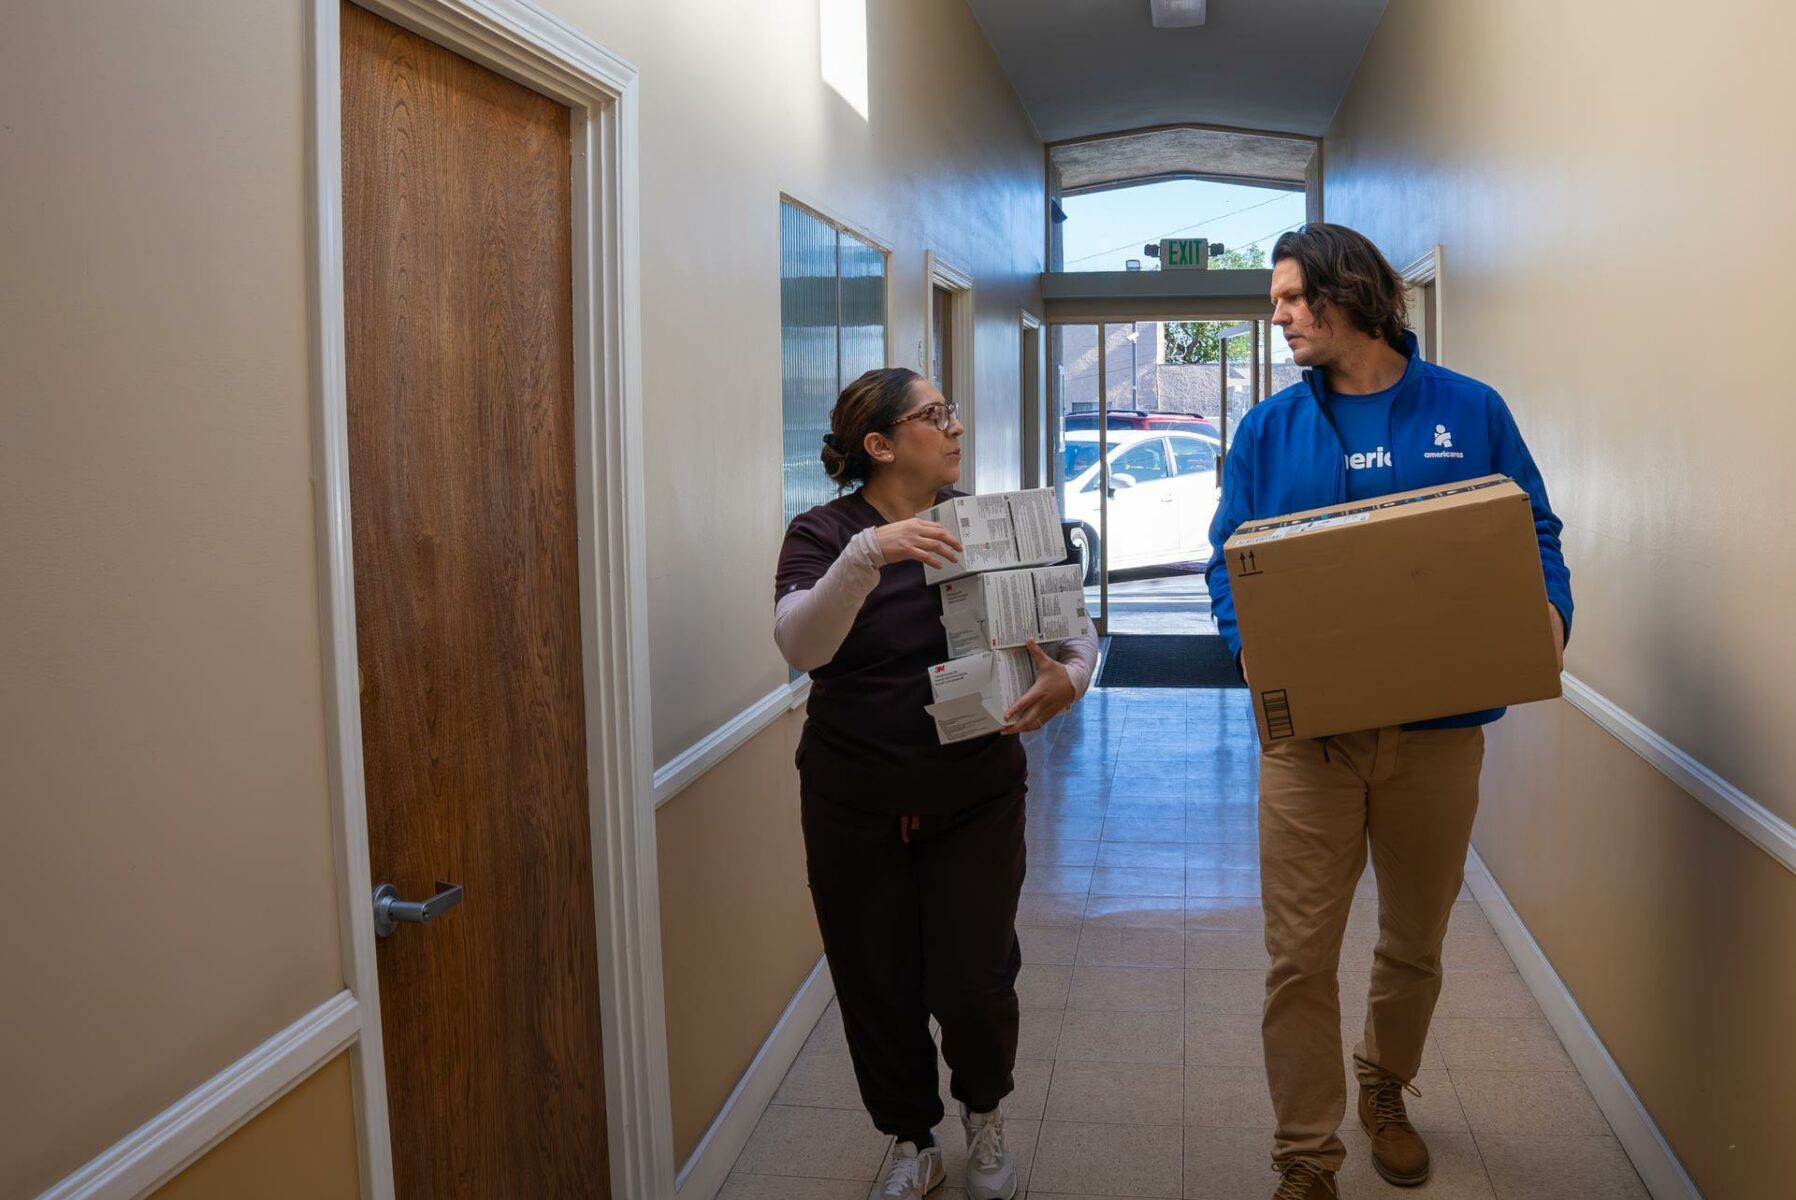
1607, 195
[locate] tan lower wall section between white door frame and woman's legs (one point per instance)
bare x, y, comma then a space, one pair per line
739, 935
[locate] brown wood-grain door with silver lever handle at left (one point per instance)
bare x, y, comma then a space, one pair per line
459, 299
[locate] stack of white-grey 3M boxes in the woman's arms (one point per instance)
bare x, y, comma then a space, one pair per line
994, 601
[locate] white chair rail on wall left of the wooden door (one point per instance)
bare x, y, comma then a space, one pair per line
211, 1113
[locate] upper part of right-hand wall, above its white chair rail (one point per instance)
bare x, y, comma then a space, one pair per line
1608, 195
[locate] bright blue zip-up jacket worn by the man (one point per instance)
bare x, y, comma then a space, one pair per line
1287, 457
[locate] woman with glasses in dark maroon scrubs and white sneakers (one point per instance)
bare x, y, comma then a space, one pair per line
915, 849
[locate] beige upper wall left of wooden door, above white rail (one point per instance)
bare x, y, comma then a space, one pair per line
164, 834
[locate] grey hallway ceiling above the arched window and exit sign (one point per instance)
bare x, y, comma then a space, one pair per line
1087, 67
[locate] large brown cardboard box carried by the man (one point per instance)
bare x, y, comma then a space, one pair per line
1393, 610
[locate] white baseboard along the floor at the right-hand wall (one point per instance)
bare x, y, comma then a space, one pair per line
1633, 1125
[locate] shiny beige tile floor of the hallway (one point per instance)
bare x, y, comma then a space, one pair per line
1140, 1068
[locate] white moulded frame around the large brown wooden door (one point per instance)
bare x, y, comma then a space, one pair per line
601, 91
